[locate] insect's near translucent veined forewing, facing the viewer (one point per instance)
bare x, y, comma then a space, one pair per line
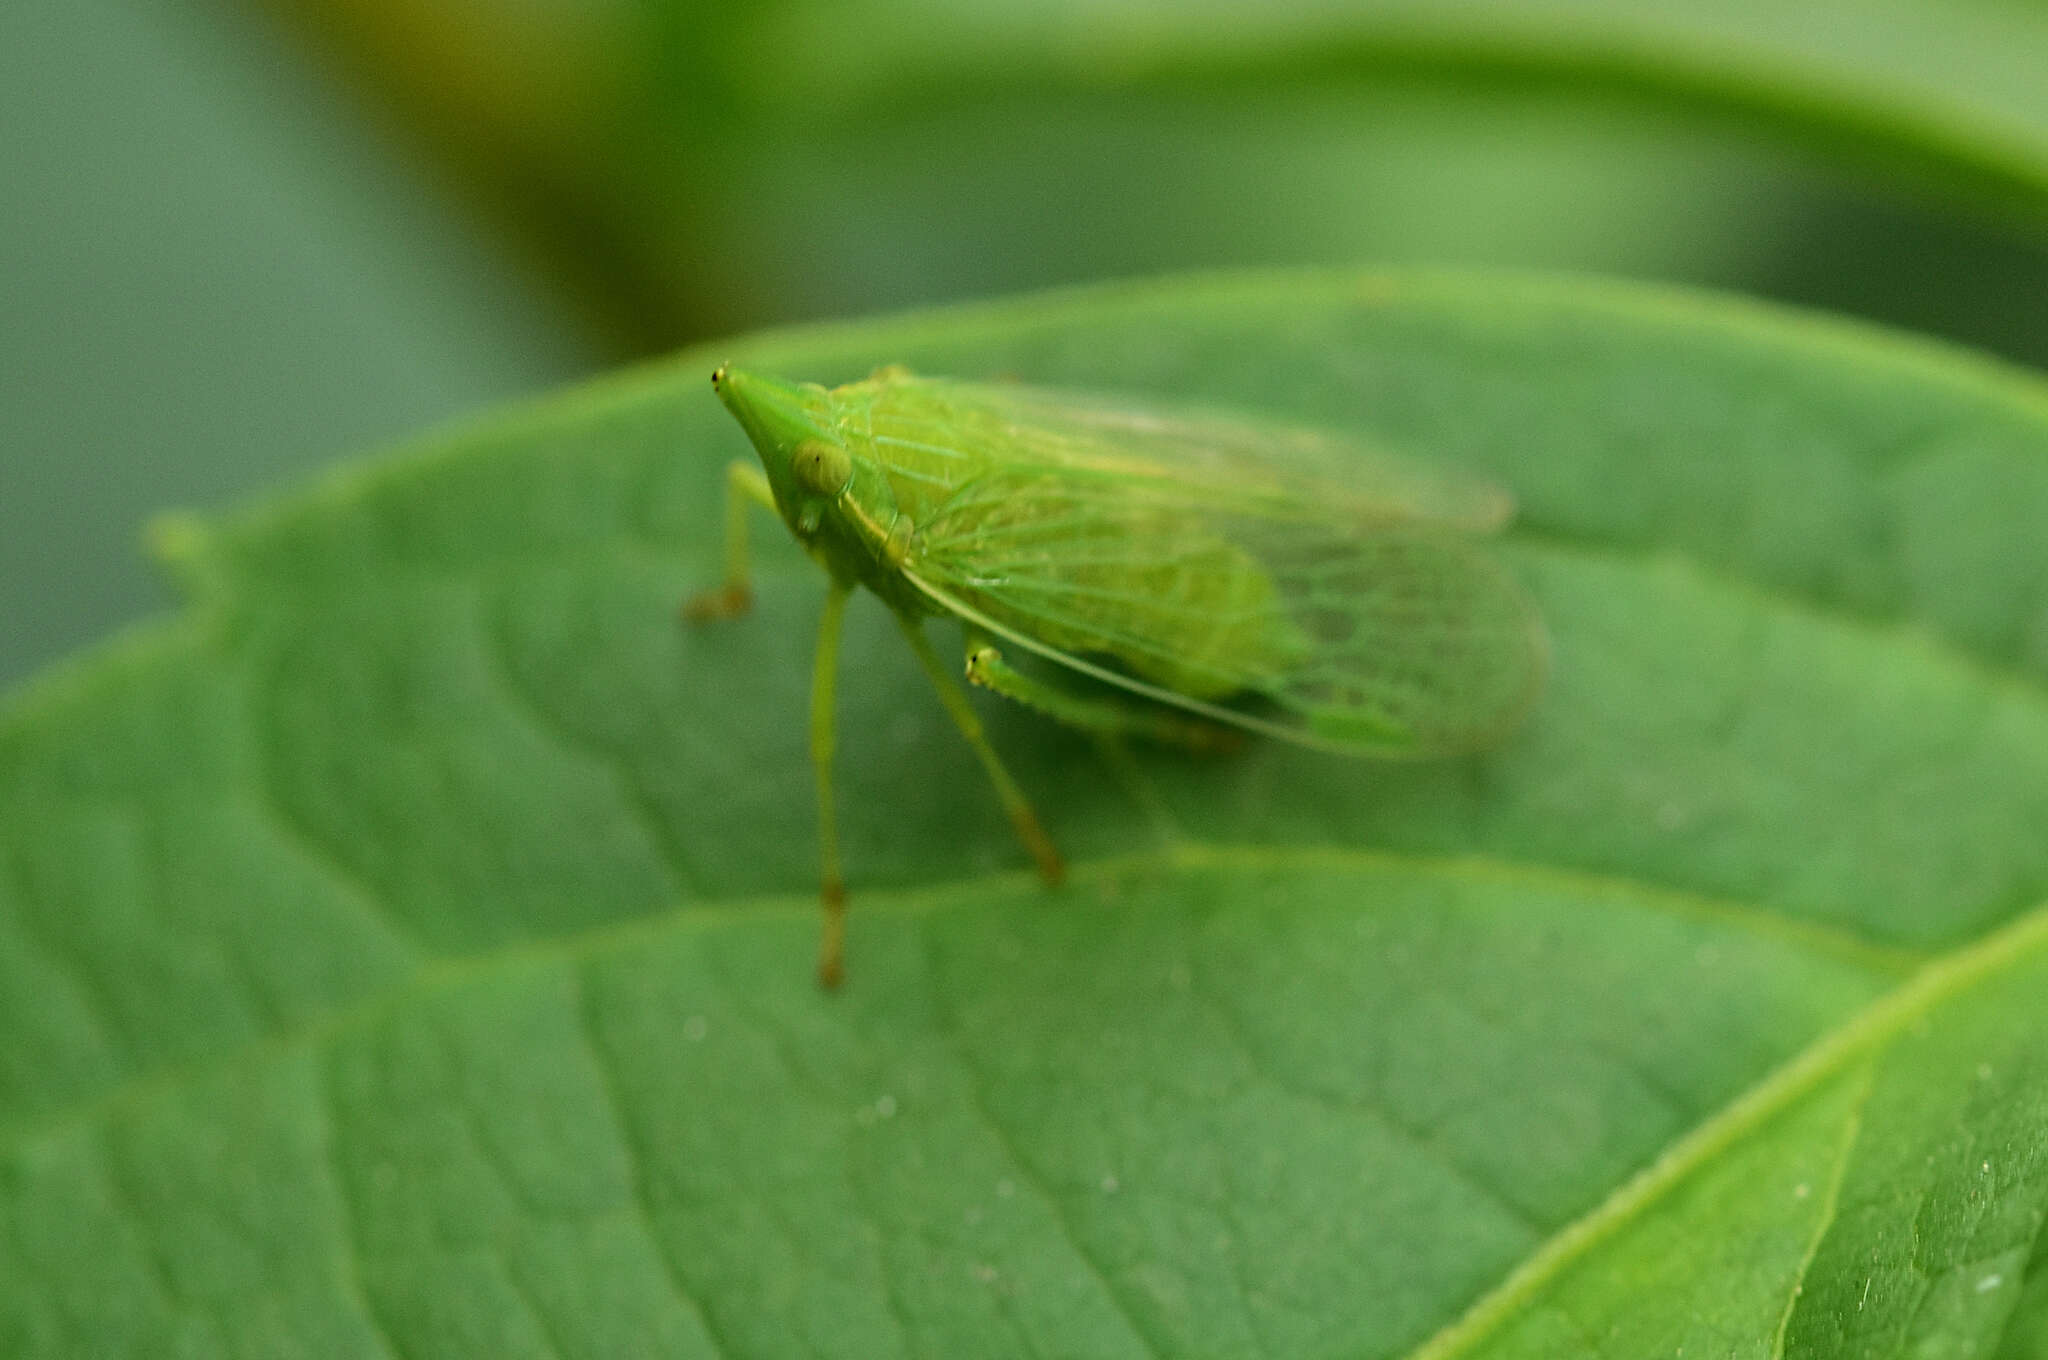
1361, 630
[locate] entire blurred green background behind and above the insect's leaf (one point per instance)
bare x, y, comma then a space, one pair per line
245, 241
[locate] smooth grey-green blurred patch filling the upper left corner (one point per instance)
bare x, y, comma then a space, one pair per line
216, 273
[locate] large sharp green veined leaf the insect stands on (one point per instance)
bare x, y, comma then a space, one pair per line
409, 947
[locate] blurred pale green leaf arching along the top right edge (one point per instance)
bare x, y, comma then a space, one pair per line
1953, 85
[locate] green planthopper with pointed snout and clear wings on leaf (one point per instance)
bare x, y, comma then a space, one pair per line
1211, 575
